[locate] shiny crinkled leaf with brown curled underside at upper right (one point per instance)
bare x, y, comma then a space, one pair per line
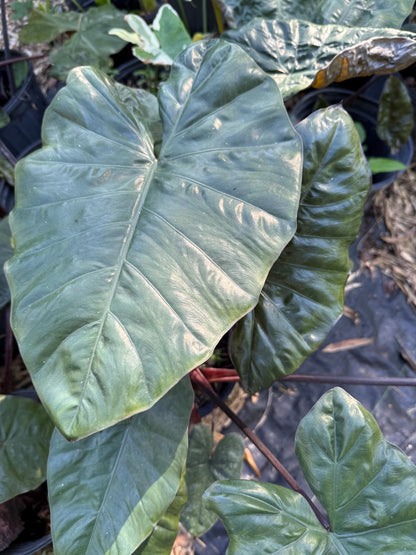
299, 54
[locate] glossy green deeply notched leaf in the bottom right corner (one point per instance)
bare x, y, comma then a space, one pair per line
367, 486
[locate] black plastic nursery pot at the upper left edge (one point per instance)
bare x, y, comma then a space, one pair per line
25, 109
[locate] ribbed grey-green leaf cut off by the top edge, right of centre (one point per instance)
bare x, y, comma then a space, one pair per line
353, 13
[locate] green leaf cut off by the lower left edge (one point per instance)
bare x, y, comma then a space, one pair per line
25, 432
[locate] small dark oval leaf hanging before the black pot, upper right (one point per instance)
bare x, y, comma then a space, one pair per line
395, 119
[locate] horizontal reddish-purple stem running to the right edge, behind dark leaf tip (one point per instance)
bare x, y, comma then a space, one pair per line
229, 375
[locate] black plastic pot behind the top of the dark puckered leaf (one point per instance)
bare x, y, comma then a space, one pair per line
363, 110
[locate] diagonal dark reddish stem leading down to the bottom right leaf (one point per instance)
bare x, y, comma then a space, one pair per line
199, 379
